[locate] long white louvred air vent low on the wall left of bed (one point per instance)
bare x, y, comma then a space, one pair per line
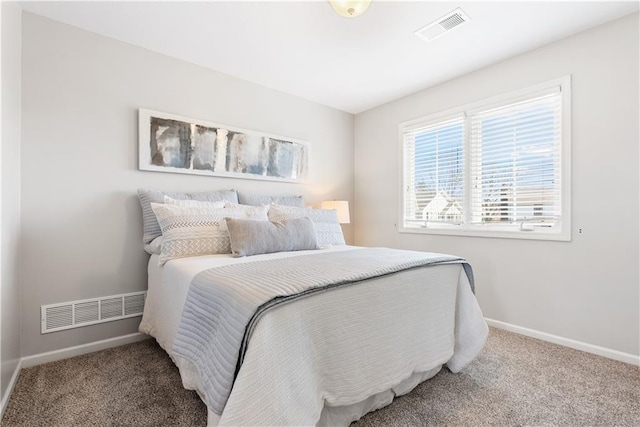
74, 314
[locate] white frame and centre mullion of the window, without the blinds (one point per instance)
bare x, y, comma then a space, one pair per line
560, 233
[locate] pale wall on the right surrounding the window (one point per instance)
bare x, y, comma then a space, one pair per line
586, 289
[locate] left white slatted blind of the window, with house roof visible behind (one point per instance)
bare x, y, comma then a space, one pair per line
434, 180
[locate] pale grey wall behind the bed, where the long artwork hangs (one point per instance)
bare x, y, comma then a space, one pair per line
81, 221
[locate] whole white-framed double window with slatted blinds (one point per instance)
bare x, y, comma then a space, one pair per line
497, 168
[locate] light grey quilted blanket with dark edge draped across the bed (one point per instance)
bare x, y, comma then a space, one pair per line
224, 303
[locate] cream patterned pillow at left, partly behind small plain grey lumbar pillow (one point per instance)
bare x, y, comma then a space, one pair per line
198, 231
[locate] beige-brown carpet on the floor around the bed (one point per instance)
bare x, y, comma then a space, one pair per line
515, 381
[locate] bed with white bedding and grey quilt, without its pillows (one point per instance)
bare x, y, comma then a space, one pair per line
320, 355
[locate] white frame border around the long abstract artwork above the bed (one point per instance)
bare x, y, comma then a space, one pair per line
144, 148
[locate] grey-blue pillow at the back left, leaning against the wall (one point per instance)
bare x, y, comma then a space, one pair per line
150, 223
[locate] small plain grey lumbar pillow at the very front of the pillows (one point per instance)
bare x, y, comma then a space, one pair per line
263, 237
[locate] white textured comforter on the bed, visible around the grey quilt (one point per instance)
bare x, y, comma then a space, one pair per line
330, 358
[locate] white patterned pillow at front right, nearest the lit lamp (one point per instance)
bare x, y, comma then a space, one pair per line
328, 230
